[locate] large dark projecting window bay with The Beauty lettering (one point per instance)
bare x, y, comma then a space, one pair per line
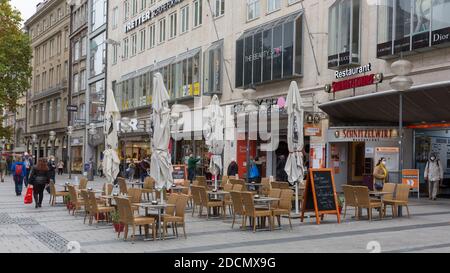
268, 52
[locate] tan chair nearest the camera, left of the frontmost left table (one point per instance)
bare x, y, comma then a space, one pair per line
127, 218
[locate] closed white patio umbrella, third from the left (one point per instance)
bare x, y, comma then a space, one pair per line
214, 136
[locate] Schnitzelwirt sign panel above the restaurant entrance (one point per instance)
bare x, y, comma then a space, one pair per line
361, 134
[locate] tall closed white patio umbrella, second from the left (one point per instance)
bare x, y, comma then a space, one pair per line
161, 166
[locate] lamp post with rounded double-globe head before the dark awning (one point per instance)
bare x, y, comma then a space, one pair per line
401, 83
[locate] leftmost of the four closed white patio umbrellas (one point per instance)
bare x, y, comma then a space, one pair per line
111, 160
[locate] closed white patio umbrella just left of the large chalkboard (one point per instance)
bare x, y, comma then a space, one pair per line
294, 164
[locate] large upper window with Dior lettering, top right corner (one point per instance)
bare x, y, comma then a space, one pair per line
405, 25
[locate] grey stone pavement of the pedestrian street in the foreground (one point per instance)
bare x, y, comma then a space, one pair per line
49, 229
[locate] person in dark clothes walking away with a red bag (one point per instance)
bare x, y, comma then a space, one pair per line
40, 177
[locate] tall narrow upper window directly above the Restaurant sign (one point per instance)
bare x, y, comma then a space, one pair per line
343, 39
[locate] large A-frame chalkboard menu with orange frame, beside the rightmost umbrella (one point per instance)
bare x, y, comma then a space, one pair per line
320, 194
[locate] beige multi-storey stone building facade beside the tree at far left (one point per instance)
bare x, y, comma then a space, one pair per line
49, 32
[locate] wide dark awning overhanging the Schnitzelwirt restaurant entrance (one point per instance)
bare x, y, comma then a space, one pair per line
423, 103
